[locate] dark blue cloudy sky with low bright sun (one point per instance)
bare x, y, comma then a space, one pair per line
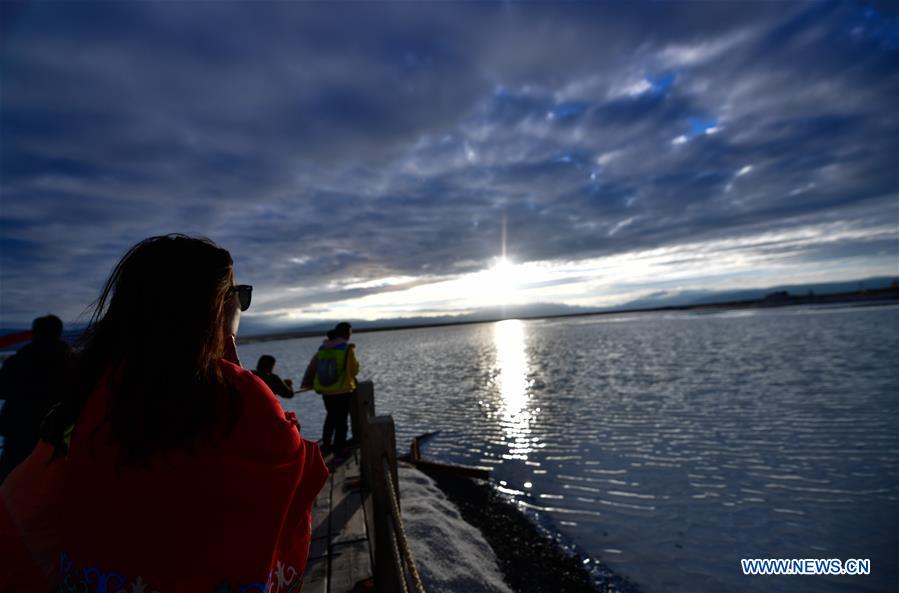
379, 160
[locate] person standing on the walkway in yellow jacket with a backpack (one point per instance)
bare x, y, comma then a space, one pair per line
332, 373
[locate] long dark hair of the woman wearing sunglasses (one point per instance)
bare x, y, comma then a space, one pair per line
156, 335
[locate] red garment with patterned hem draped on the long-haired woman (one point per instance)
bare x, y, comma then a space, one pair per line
234, 516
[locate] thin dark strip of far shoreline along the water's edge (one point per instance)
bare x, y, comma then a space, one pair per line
776, 299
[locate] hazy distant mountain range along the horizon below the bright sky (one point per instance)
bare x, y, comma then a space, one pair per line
660, 299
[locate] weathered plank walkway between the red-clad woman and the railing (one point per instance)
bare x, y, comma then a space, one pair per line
340, 556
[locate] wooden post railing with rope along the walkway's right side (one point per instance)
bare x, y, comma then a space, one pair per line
394, 567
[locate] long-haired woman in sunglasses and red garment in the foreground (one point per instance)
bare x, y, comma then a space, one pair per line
167, 467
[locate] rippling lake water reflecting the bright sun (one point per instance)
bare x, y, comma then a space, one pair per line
669, 446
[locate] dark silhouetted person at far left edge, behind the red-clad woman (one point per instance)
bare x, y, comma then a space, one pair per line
31, 381
